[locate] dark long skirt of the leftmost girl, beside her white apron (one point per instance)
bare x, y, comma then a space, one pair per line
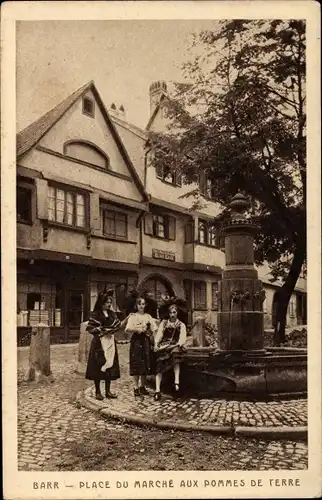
96, 360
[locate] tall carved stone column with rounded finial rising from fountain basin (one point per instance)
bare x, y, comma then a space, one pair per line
241, 294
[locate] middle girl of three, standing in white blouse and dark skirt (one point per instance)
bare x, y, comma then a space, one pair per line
142, 327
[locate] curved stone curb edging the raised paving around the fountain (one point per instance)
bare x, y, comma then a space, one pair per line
273, 433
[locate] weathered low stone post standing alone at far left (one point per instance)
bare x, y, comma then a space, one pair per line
39, 355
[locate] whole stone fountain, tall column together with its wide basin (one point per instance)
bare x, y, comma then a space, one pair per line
241, 366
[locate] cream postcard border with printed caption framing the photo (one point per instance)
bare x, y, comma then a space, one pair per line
19, 484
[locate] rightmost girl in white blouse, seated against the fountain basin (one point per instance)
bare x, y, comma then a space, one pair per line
170, 337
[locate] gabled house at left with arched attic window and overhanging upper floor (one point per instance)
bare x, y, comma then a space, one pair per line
79, 204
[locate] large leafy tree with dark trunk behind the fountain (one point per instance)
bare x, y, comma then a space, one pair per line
240, 125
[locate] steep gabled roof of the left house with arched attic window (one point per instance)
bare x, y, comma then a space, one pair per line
29, 137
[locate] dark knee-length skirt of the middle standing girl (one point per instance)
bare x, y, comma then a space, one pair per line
141, 355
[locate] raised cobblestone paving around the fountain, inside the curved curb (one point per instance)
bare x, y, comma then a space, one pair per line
202, 411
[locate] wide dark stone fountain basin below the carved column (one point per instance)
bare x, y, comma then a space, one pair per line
259, 375
